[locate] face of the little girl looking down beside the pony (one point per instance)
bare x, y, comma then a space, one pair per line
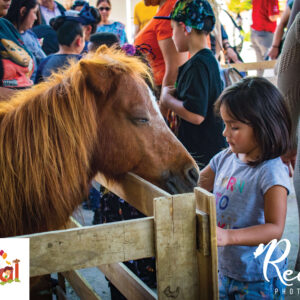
240, 137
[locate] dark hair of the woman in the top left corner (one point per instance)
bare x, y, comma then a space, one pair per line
14, 15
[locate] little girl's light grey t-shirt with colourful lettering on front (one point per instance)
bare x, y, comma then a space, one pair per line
239, 190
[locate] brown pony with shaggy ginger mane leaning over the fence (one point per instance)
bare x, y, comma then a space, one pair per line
98, 115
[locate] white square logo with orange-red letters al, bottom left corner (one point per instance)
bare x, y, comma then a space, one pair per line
14, 268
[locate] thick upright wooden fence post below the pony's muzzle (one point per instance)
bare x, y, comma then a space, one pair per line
175, 235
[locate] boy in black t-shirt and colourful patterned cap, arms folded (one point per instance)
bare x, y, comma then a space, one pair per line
198, 83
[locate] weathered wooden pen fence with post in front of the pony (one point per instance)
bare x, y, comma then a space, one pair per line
180, 231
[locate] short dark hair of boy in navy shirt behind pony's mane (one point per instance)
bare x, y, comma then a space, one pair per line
66, 30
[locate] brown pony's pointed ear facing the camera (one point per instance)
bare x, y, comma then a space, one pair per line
97, 76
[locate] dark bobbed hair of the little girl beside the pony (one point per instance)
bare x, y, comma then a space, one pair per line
258, 103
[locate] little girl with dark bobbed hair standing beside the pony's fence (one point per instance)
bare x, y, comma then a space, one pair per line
250, 183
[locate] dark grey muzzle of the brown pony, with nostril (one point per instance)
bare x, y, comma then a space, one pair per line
181, 183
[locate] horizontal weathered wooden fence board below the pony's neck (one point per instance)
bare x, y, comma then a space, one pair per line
90, 246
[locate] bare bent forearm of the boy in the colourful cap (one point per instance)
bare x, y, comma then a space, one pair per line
170, 102
